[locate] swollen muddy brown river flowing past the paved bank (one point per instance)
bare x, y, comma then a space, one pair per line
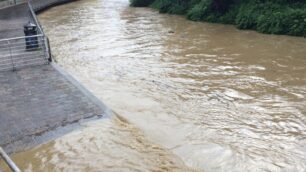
188, 95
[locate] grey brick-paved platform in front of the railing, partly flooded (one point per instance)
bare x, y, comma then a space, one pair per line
37, 100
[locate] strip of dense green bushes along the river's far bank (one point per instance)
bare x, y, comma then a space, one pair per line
266, 16
